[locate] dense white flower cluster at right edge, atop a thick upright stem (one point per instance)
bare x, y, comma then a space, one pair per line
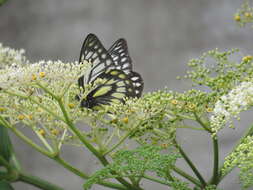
230, 105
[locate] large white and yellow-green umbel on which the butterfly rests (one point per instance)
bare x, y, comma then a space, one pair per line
42, 96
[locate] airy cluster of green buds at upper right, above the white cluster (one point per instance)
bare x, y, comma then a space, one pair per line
219, 72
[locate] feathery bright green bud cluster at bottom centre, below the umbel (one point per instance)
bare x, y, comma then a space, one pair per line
136, 163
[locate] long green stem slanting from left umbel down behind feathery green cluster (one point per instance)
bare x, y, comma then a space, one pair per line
89, 146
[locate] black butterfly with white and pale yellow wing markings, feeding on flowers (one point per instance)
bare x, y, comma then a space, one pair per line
114, 67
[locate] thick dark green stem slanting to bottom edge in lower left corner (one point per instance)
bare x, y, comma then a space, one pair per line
37, 182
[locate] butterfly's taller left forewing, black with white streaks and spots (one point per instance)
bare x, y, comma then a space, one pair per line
94, 52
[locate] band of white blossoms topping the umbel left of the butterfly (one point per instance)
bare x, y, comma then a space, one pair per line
50, 72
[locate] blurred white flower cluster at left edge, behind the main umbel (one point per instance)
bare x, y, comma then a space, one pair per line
10, 56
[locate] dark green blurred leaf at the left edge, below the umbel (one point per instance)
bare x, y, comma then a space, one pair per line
5, 144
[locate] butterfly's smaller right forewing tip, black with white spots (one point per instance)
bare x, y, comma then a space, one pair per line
120, 55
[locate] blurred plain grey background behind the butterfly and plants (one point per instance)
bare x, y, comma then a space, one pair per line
162, 36
